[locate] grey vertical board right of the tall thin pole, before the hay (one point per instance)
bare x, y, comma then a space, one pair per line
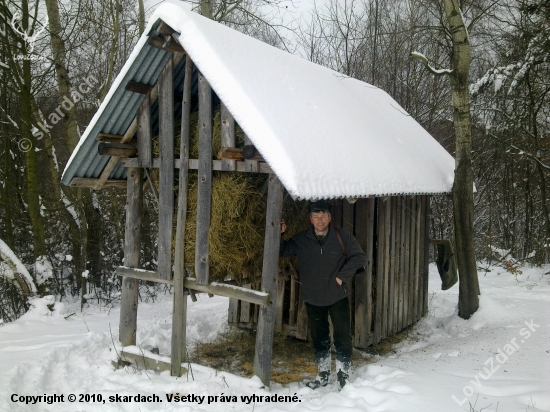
204, 198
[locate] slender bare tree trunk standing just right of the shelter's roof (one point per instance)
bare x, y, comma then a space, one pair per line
463, 194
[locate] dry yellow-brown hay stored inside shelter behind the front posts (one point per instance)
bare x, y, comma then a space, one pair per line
237, 226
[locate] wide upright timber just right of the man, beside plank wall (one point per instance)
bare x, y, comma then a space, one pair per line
364, 234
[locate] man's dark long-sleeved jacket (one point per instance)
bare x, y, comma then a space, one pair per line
320, 265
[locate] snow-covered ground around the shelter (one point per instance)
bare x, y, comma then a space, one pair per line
497, 360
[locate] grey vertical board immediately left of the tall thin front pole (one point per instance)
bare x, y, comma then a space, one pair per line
166, 171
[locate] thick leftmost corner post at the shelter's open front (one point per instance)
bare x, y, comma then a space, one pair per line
132, 247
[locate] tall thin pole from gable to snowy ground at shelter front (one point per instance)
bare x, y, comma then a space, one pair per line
179, 313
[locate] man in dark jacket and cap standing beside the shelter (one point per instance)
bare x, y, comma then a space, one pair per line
328, 258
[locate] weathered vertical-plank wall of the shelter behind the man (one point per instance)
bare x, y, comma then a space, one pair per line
392, 294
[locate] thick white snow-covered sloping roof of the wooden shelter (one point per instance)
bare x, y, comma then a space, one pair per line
324, 134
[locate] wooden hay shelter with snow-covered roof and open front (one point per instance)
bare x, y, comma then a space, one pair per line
168, 76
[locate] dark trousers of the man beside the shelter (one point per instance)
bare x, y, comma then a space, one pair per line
320, 332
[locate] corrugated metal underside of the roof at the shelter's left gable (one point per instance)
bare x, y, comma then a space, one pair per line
121, 110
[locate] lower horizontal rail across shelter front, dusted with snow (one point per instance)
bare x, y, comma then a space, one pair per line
215, 288
